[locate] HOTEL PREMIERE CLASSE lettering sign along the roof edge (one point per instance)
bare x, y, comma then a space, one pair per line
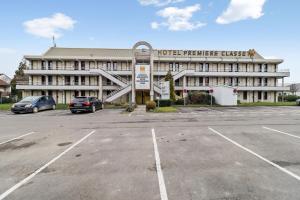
204, 53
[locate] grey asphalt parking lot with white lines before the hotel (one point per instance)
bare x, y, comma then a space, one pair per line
219, 153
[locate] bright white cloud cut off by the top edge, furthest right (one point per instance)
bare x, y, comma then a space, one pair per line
241, 10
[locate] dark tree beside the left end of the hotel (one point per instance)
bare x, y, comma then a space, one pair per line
19, 76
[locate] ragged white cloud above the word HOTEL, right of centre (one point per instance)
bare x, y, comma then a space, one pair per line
178, 19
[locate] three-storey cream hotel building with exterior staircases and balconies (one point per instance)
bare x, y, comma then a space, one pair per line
109, 74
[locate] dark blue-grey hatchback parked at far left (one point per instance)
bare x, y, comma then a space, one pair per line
34, 104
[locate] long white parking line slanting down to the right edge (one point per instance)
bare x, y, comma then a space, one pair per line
258, 156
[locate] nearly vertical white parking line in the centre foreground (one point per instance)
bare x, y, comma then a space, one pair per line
161, 181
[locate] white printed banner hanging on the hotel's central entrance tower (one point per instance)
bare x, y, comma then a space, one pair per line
142, 77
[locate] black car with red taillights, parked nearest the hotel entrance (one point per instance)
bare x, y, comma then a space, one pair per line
85, 104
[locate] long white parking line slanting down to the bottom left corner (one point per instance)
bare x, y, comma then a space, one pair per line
25, 180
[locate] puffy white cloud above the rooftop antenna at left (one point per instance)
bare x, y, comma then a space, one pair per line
48, 27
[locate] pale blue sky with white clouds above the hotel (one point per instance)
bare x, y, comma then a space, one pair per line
269, 26
